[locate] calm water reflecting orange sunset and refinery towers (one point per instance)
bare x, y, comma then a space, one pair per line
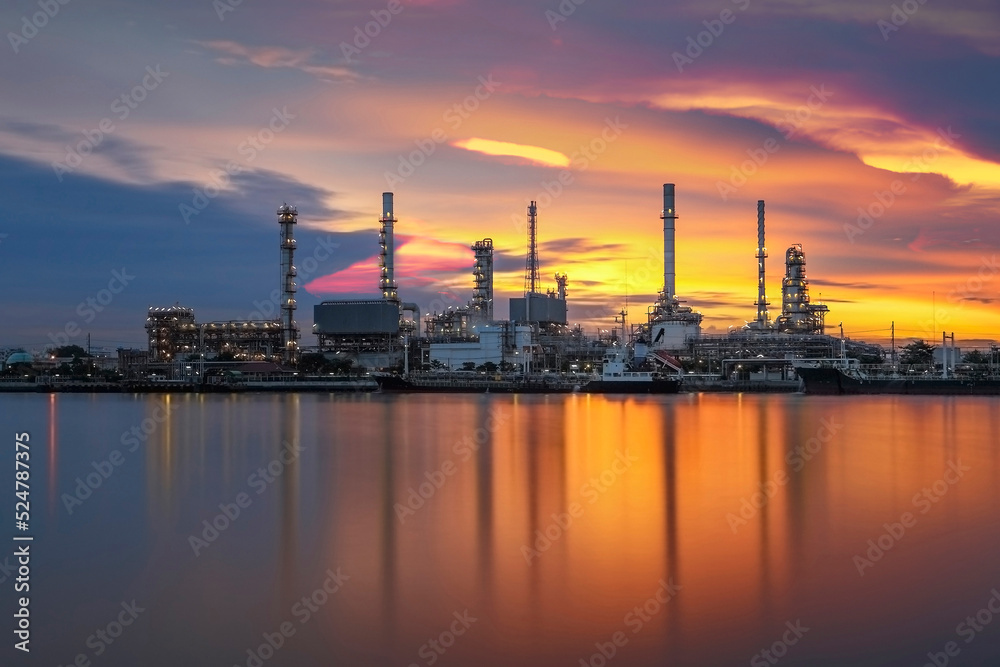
559, 524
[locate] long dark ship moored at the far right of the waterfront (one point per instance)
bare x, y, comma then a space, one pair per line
840, 379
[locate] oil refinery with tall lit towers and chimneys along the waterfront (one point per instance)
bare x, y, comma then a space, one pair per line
388, 336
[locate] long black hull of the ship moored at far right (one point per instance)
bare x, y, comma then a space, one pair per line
834, 381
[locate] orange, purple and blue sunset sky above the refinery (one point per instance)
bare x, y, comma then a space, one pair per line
145, 147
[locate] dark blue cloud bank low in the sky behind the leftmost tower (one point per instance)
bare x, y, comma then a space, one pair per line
86, 227
